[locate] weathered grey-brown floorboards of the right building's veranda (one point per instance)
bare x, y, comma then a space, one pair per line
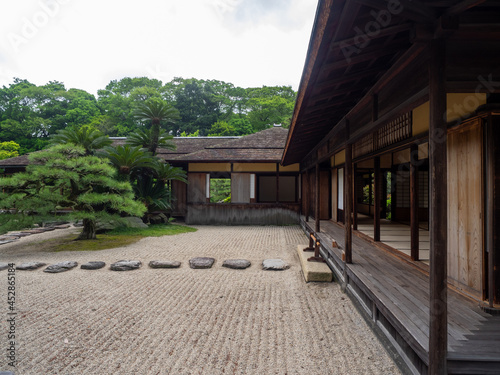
401, 293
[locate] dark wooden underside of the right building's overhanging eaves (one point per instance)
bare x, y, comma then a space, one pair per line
357, 43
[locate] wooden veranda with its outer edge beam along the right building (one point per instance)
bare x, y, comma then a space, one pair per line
396, 295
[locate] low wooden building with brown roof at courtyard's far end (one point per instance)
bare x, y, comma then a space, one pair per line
262, 192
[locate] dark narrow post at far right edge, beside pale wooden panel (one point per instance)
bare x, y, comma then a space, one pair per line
489, 142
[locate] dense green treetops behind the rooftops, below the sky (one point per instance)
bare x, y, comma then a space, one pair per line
31, 114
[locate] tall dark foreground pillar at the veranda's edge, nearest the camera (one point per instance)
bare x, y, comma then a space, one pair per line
438, 326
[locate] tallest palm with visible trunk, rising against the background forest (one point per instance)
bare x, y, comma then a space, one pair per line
156, 111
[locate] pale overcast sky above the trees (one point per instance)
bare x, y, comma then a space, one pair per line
87, 43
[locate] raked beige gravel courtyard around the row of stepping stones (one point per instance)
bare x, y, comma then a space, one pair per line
185, 321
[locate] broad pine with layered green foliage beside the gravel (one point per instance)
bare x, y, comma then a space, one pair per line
64, 176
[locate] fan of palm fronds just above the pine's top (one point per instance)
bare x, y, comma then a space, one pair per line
90, 139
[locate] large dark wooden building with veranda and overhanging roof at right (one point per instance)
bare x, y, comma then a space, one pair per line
396, 129
